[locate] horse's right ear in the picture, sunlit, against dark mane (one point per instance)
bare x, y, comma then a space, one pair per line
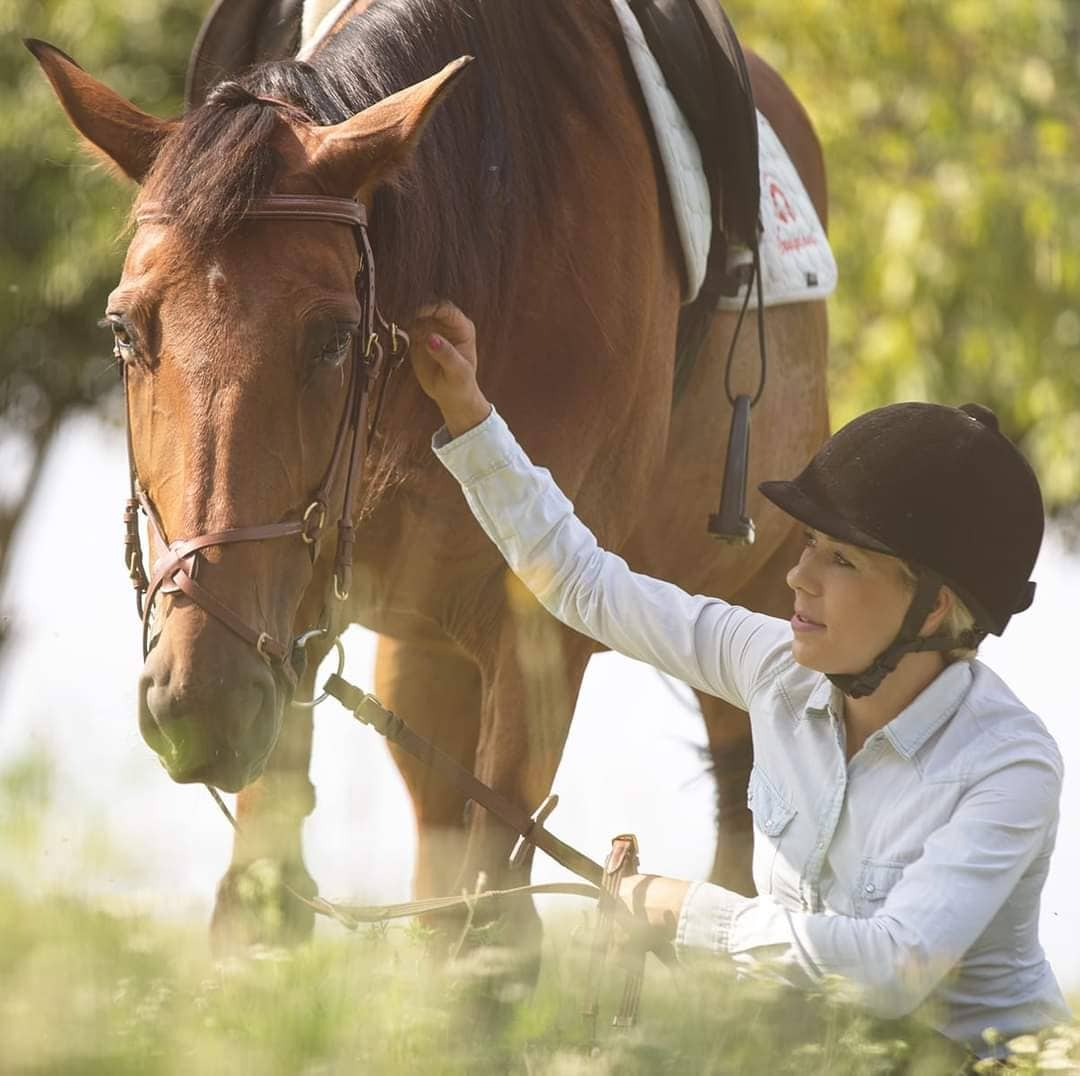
352, 159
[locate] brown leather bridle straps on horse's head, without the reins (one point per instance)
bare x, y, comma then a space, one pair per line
177, 570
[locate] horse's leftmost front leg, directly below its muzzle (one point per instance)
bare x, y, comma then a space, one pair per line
253, 905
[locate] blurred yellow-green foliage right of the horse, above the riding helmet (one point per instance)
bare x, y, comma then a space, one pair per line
952, 138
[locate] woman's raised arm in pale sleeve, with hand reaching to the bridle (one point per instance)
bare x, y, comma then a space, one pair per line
714, 647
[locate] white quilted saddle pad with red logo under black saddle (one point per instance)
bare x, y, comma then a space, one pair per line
798, 263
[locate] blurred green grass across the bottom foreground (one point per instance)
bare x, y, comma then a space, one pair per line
91, 990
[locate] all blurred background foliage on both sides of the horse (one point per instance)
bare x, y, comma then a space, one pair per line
951, 133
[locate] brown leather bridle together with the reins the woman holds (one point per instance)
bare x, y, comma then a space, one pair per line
175, 572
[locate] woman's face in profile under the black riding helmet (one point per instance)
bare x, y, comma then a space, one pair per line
849, 604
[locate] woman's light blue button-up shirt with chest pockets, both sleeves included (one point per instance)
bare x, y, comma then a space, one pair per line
913, 872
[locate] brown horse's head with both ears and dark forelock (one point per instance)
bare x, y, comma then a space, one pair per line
235, 333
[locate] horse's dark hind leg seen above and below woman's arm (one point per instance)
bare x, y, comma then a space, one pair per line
730, 736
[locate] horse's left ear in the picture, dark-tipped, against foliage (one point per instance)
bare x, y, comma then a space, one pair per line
112, 125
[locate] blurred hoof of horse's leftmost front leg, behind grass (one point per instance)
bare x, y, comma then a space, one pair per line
254, 907
